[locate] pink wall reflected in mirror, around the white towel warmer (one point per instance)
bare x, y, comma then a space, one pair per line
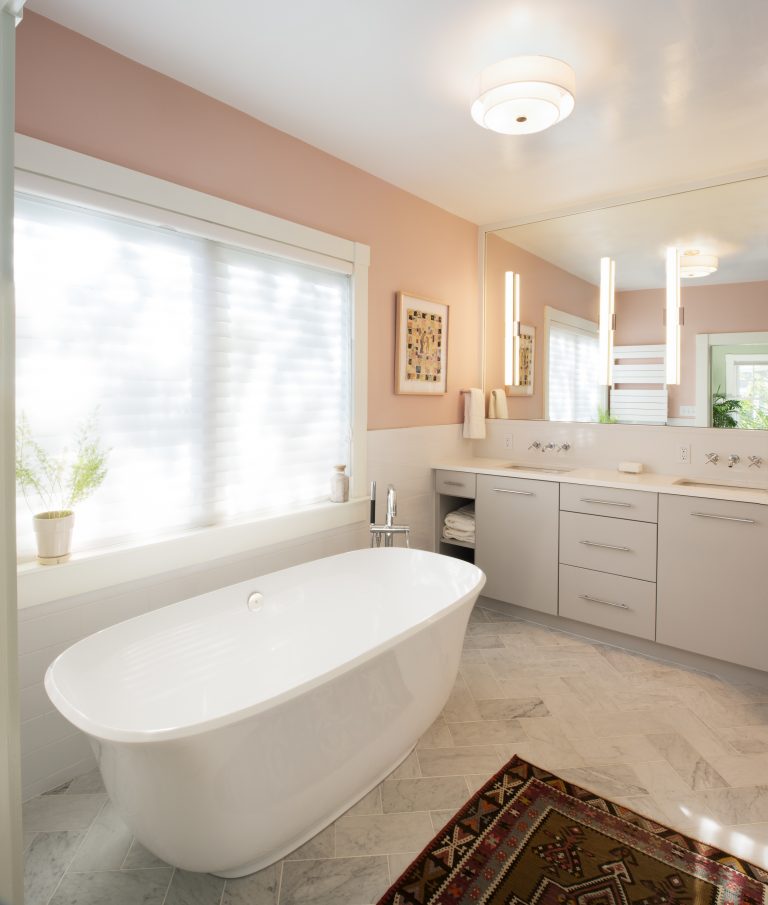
723, 308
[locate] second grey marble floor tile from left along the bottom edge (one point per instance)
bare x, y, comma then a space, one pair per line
114, 887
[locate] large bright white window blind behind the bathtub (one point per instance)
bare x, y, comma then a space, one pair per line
222, 376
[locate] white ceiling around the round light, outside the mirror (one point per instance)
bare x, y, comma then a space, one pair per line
669, 93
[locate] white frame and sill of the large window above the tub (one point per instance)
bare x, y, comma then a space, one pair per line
54, 172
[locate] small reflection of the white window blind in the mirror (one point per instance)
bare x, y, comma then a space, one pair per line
572, 372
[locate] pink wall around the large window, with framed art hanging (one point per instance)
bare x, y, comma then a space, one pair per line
80, 95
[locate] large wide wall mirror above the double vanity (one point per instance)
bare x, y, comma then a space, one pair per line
720, 232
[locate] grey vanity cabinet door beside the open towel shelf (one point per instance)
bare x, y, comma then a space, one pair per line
516, 540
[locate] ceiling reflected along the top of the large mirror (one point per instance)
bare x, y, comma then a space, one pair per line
730, 221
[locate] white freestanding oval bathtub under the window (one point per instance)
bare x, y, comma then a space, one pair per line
228, 735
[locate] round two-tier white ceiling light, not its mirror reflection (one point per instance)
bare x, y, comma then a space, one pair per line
524, 94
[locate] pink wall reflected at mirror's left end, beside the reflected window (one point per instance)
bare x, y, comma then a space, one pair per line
541, 284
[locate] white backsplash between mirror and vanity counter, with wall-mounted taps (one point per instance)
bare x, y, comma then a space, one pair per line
605, 445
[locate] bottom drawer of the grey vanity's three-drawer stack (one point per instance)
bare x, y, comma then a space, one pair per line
622, 604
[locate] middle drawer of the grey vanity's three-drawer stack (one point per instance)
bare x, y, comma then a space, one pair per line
608, 545
